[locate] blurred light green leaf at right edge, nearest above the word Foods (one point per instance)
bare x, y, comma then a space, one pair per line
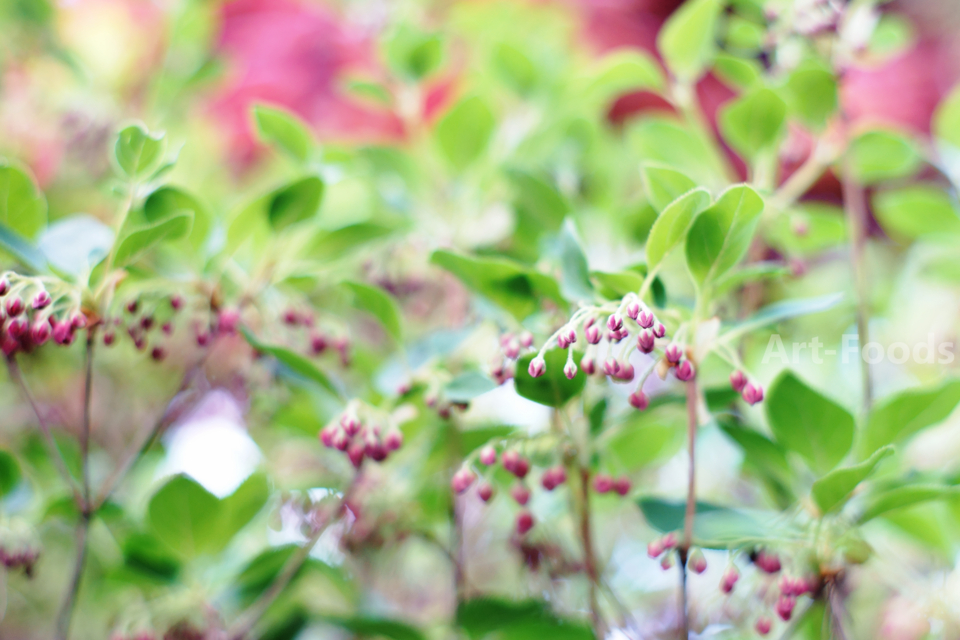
917, 210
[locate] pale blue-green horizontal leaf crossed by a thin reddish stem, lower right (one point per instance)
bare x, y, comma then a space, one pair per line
714, 527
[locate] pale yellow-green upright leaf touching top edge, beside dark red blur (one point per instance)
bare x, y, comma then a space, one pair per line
686, 41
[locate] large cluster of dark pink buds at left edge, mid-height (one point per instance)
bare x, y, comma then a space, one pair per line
30, 317
